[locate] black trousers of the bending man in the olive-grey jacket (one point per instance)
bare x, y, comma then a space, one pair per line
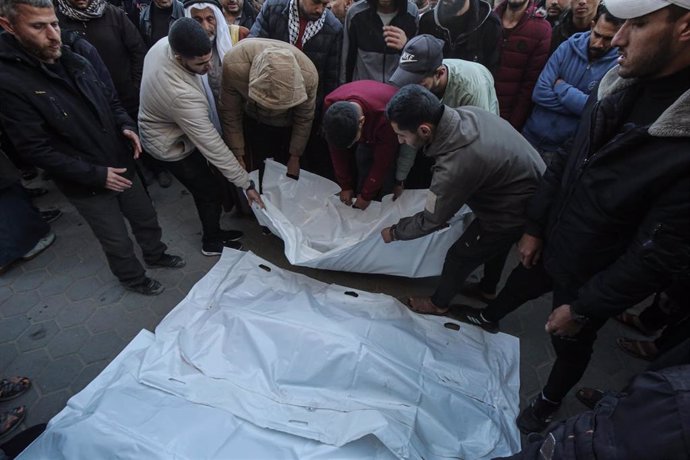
475, 247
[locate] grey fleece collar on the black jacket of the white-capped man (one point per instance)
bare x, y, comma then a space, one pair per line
673, 122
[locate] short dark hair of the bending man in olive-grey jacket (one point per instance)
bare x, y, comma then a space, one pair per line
412, 106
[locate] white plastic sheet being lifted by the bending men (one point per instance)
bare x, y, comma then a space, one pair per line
321, 232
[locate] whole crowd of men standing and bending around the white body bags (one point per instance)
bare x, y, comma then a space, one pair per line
564, 125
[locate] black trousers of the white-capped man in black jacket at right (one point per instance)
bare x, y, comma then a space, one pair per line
572, 353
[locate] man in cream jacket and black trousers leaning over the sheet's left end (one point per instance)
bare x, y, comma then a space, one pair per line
179, 125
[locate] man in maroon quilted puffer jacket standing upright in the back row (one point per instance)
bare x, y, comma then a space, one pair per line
524, 51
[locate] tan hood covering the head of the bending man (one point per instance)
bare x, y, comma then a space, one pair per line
276, 81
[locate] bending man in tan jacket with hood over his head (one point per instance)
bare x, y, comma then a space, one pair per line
267, 104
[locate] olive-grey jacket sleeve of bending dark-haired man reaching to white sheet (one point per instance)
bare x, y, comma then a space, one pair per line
446, 195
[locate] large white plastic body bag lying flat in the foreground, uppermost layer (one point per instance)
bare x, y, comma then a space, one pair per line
335, 365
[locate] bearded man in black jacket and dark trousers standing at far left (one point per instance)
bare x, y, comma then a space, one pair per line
63, 119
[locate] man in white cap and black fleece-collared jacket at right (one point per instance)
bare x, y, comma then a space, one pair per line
613, 216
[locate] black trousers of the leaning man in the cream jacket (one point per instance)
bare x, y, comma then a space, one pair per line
196, 175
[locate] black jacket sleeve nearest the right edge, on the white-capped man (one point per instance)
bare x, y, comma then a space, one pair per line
659, 252
